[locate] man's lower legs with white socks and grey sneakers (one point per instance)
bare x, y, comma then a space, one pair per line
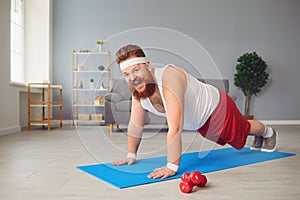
265, 138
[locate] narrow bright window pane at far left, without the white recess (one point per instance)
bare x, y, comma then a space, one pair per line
17, 57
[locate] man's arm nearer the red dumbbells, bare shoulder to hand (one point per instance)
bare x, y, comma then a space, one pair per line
174, 86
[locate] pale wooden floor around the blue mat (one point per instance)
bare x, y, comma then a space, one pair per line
42, 165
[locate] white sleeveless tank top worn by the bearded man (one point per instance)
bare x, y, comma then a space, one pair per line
200, 100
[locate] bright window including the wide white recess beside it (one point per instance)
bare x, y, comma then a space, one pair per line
30, 41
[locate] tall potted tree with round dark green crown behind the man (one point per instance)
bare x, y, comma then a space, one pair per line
250, 76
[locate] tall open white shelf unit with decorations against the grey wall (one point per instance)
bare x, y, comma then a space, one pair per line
87, 98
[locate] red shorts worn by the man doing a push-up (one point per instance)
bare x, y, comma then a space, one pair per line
226, 124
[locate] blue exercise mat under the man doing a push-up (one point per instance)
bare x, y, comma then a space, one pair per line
132, 175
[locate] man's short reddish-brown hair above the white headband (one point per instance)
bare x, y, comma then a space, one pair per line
129, 51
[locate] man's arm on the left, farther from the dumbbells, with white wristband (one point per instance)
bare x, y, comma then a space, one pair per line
135, 130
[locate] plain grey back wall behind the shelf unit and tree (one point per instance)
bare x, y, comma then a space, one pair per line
225, 28
